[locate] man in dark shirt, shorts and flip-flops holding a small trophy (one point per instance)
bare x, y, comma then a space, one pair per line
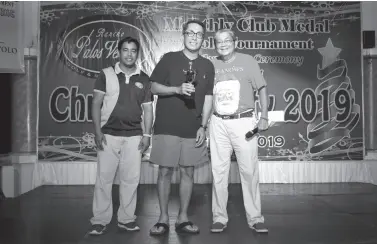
182, 113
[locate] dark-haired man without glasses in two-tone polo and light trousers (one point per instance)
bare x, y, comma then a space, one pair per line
121, 94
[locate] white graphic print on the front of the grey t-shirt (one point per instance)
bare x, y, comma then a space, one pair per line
227, 96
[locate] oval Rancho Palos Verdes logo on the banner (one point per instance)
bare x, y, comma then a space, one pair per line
91, 44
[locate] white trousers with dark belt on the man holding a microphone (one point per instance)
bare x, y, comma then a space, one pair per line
226, 135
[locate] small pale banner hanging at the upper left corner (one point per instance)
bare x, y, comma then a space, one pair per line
11, 37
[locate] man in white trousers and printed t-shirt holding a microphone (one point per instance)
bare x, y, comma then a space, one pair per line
237, 77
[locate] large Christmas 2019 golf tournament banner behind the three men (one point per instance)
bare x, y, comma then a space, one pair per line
309, 52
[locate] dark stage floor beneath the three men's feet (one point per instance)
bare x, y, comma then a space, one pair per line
295, 213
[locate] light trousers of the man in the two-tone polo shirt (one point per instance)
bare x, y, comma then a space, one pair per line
122, 152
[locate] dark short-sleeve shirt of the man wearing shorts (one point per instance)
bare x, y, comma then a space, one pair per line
176, 115
